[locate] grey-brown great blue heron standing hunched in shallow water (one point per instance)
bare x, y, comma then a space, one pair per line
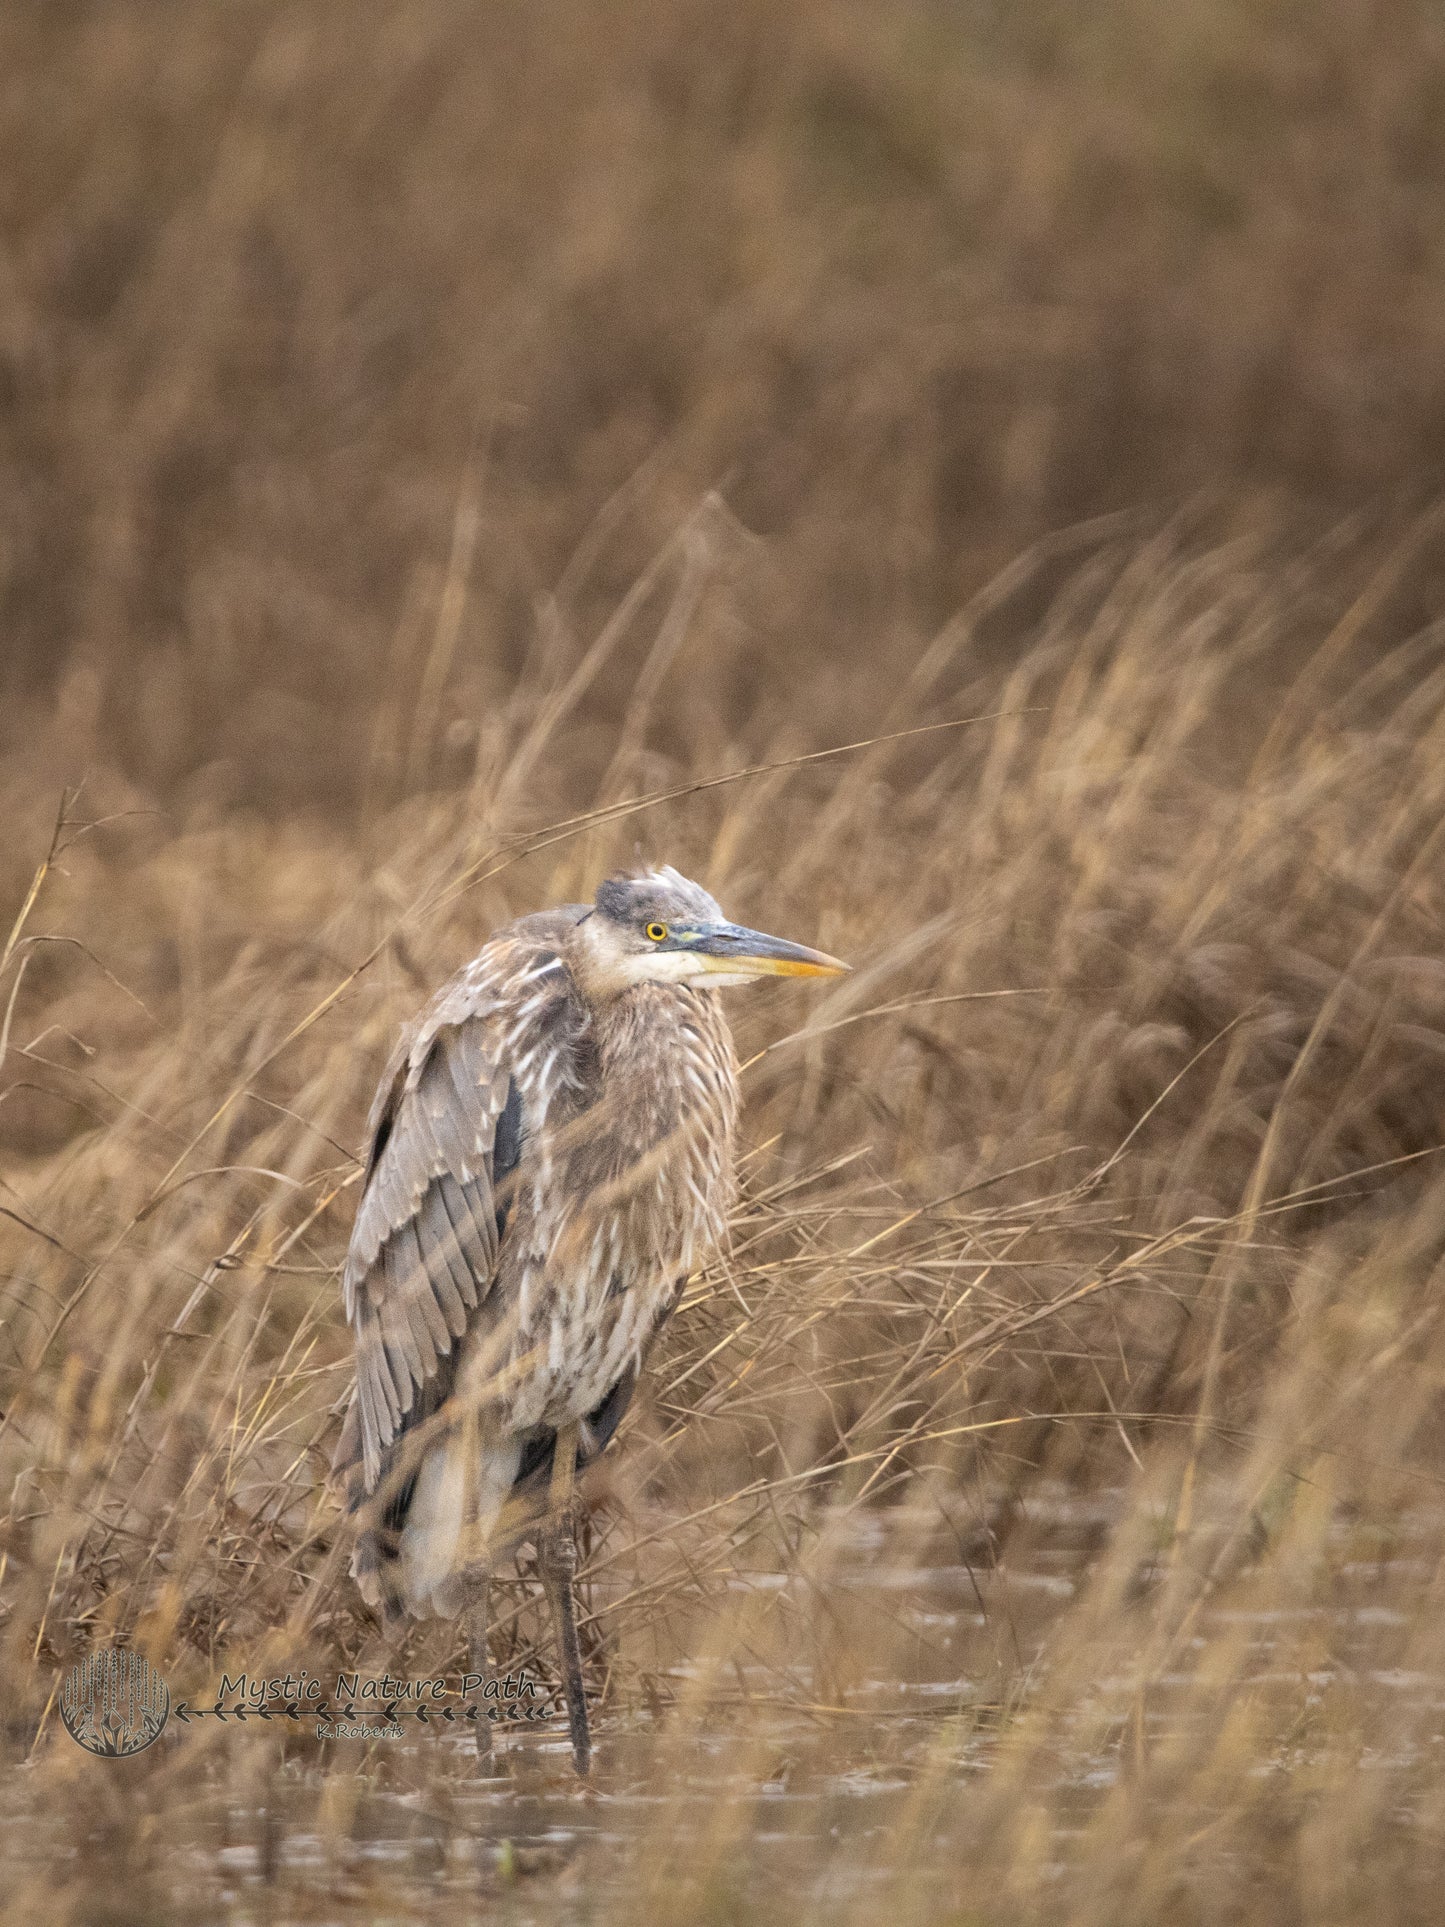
550, 1159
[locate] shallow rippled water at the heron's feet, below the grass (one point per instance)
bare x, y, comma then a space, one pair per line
810, 1778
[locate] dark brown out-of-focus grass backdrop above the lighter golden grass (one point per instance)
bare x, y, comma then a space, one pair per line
912, 284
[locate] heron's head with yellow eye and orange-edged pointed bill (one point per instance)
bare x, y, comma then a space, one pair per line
662, 928
